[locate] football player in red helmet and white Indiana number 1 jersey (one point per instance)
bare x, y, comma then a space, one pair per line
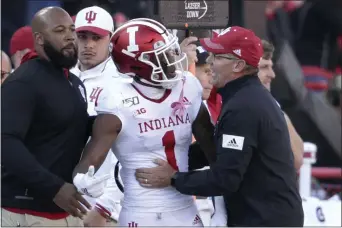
154, 117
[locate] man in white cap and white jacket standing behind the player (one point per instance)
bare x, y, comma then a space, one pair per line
95, 27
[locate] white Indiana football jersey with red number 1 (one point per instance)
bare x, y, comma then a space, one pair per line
150, 131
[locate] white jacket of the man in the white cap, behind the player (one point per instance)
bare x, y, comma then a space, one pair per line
94, 80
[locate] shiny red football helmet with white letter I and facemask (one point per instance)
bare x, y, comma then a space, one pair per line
144, 48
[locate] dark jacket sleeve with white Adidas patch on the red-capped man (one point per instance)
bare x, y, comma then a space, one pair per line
237, 136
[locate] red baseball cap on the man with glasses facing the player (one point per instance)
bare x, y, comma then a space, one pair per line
241, 42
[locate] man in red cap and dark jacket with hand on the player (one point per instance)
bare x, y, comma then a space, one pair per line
254, 169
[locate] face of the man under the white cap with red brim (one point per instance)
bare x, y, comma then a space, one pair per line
93, 49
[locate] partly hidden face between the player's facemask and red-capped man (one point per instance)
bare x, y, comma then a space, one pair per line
204, 75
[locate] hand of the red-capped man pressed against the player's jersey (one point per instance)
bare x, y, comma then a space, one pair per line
157, 177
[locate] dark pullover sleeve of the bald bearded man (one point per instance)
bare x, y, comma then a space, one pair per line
18, 106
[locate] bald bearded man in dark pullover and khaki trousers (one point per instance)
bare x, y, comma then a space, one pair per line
44, 129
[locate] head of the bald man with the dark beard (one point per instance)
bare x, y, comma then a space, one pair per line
59, 40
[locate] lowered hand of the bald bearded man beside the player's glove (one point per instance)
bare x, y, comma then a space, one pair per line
69, 199
